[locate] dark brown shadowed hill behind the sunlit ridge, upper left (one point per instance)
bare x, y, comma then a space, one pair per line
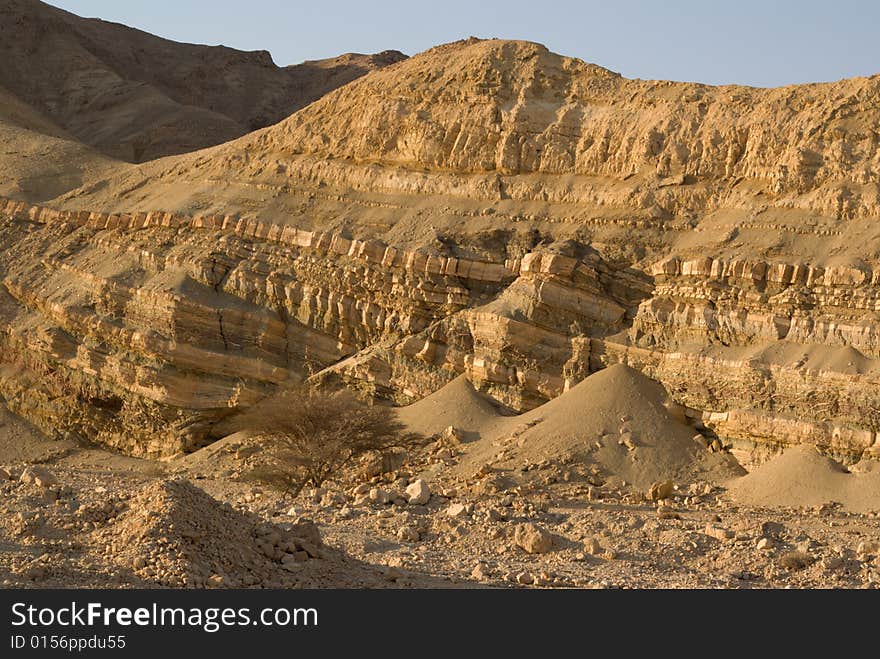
135, 96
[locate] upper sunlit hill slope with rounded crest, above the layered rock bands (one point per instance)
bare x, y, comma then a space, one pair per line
429, 148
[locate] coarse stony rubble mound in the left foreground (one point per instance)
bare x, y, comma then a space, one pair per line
178, 534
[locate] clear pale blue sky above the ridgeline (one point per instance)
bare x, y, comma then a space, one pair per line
763, 43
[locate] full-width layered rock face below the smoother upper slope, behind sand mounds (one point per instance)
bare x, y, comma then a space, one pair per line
146, 331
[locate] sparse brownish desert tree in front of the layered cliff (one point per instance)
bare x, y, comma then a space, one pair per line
309, 435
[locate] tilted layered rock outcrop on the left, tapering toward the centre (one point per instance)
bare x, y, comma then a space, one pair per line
177, 320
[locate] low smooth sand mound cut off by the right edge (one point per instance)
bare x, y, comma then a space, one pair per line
803, 477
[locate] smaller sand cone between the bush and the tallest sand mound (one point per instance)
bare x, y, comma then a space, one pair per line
457, 404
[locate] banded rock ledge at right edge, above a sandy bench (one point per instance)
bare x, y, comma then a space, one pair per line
713, 302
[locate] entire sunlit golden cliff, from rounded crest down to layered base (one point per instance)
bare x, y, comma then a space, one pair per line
487, 208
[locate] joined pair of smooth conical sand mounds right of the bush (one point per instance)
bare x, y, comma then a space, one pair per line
616, 419
